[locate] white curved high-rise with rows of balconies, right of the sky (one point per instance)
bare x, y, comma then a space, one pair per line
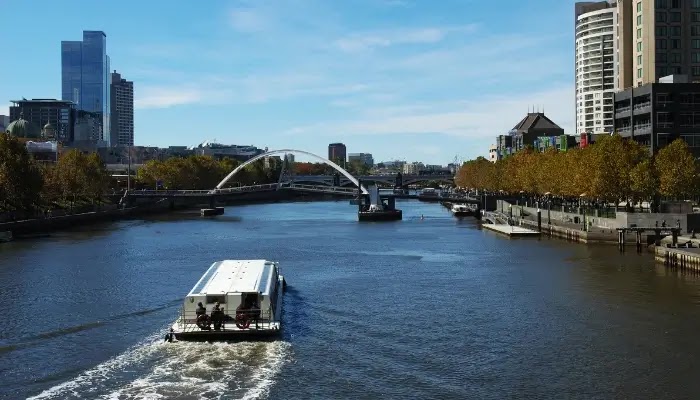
596, 59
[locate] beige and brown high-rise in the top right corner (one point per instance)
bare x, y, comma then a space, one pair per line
658, 38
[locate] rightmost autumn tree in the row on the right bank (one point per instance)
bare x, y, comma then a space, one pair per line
676, 170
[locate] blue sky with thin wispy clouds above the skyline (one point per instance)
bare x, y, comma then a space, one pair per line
402, 79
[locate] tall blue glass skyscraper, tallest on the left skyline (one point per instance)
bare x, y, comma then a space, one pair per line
85, 78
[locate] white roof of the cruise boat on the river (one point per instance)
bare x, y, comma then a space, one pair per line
234, 276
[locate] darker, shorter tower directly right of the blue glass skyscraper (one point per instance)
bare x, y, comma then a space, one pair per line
122, 111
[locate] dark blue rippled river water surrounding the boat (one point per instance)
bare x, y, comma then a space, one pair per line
422, 308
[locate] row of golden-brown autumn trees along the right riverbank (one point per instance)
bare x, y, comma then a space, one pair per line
611, 170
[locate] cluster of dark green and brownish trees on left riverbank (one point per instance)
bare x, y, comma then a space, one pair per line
28, 186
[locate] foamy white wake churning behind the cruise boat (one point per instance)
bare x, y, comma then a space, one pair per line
158, 370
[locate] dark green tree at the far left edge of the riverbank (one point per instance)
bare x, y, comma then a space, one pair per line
20, 178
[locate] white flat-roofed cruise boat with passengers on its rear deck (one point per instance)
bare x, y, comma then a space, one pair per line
233, 300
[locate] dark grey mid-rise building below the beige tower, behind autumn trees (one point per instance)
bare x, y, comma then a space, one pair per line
656, 114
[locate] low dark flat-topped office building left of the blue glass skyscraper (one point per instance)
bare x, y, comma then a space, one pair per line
59, 114
